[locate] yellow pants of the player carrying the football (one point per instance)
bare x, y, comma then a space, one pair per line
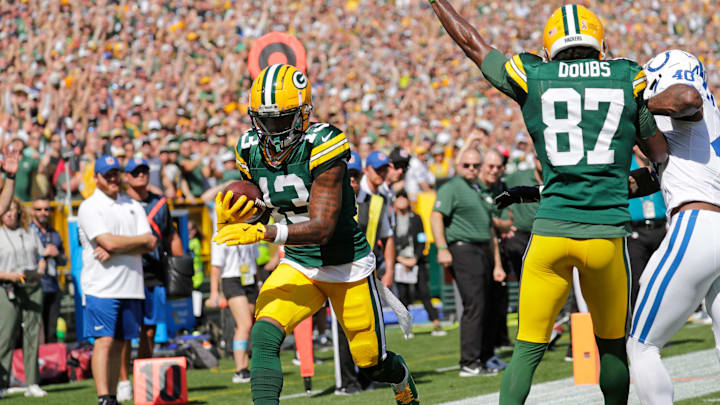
288, 297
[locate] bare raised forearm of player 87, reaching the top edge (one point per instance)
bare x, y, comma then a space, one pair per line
460, 30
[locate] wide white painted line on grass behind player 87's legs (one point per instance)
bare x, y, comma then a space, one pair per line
694, 374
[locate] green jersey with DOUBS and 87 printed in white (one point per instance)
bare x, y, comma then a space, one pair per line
584, 117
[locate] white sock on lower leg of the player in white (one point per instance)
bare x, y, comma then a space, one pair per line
652, 381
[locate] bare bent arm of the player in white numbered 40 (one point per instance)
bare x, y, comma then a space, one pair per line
678, 101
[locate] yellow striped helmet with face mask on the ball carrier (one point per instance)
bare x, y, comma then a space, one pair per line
280, 105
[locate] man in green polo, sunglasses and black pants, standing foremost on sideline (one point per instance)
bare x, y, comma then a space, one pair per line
465, 237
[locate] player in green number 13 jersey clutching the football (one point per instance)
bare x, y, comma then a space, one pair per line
300, 167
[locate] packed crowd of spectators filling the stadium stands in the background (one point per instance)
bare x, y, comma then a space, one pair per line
167, 80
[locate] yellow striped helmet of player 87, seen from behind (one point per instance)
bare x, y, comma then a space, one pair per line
573, 25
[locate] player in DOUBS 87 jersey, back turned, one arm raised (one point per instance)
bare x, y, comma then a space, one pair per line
584, 115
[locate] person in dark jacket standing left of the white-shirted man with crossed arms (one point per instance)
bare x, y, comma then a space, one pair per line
54, 255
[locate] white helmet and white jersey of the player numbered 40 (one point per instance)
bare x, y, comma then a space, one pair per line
693, 169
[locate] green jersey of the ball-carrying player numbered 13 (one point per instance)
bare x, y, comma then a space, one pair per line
286, 190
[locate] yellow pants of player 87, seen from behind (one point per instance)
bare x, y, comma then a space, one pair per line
547, 277
